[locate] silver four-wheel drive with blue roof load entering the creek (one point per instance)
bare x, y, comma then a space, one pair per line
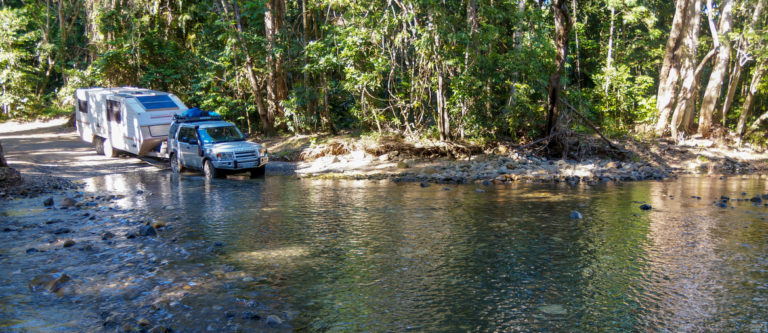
214, 146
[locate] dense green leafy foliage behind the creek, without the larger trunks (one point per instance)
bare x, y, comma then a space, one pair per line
371, 64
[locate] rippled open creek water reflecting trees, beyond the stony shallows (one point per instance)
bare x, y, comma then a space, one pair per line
348, 255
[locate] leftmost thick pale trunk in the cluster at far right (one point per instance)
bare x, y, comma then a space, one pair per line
670, 69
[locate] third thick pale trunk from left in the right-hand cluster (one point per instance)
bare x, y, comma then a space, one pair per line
720, 70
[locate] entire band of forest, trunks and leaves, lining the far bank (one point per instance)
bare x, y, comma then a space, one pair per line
476, 70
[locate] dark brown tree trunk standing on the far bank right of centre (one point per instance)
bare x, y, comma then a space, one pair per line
562, 34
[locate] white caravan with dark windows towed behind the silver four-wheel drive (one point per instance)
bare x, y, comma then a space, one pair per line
129, 119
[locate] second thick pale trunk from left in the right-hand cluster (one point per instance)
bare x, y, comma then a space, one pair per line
686, 97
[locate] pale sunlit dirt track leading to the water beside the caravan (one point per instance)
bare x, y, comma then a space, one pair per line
49, 148
